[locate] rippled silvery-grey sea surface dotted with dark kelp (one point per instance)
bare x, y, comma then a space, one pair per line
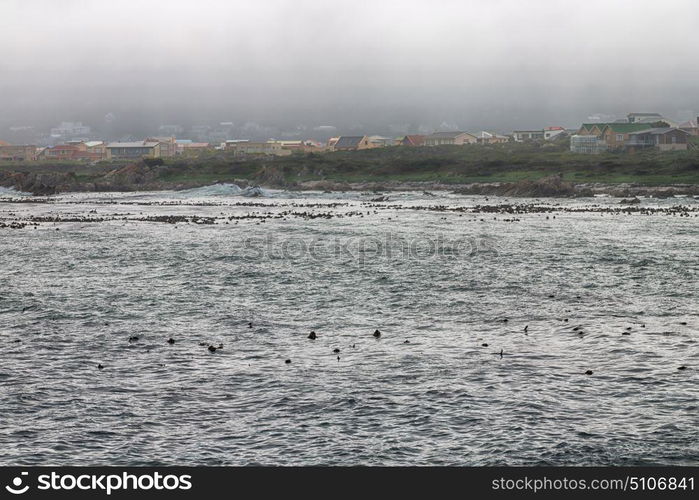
437, 274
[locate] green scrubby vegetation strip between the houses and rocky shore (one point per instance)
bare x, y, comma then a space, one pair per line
509, 162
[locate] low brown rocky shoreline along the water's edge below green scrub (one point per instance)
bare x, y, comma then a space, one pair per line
142, 177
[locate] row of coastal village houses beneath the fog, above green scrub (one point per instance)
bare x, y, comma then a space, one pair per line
73, 141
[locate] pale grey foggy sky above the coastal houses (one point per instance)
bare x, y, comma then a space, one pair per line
496, 64
